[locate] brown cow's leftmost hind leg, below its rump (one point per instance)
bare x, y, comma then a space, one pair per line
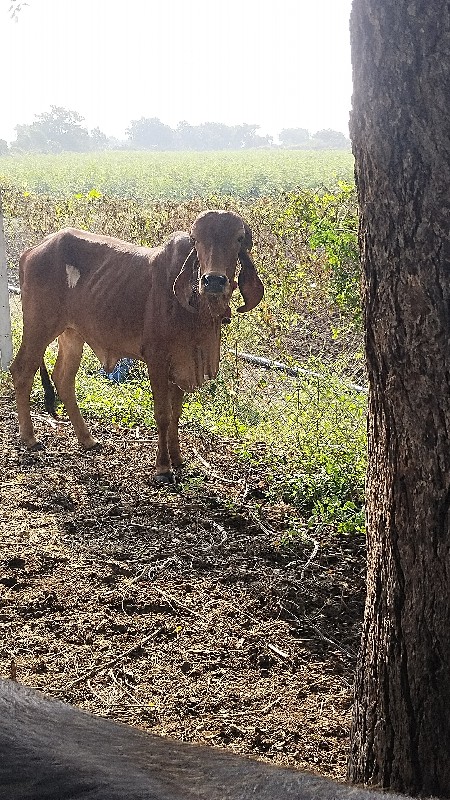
23, 369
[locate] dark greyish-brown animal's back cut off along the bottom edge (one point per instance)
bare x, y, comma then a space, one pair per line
52, 751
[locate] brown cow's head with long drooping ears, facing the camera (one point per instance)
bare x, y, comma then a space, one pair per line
219, 240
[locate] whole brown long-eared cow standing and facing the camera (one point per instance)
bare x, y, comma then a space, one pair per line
162, 305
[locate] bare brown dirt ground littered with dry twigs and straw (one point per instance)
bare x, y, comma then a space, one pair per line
190, 614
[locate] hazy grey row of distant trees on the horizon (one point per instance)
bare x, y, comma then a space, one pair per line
60, 130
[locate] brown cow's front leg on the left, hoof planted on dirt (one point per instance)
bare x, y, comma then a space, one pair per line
162, 410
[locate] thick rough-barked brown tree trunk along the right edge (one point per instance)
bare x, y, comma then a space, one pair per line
400, 124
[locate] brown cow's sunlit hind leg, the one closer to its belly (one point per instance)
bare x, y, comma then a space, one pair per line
70, 350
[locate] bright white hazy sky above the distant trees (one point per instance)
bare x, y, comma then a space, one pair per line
275, 63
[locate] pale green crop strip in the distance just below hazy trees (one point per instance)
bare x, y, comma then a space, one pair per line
178, 175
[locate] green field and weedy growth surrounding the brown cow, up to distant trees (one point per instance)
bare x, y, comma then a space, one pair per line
304, 433
